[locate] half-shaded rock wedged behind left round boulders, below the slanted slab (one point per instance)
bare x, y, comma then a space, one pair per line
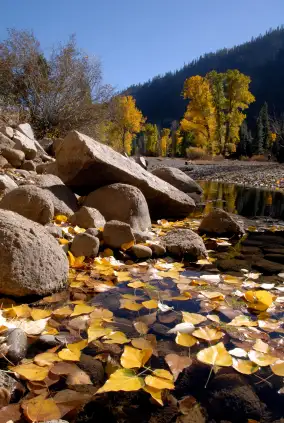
63, 199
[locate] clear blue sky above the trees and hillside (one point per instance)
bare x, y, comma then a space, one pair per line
138, 39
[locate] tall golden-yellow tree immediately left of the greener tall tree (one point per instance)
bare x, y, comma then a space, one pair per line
200, 115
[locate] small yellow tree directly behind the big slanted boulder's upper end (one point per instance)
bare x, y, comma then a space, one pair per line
126, 120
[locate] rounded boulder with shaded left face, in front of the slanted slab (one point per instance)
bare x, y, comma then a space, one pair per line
121, 202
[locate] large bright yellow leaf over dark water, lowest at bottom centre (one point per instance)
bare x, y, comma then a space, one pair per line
122, 380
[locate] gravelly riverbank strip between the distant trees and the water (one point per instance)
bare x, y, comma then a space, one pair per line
249, 173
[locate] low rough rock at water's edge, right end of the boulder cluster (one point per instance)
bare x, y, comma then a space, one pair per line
184, 242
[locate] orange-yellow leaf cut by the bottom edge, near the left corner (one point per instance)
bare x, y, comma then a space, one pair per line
40, 409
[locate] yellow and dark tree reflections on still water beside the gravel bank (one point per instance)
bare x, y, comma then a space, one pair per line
249, 202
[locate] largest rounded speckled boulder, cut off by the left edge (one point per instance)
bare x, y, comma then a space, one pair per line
31, 261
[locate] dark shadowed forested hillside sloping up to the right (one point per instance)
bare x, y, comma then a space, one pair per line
262, 59
